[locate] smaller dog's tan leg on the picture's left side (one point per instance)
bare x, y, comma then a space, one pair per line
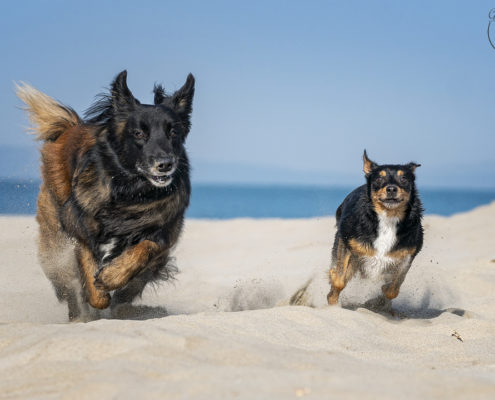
341, 271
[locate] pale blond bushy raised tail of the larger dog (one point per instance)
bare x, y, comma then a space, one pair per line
48, 117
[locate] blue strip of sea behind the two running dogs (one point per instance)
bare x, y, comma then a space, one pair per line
234, 201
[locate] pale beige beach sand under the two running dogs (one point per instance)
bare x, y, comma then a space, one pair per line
221, 330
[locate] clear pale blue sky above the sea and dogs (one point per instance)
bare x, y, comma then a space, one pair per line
287, 91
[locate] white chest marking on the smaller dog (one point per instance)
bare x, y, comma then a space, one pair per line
384, 242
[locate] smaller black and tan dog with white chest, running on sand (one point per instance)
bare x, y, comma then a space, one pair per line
379, 229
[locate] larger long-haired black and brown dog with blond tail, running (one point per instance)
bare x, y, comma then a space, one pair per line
114, 192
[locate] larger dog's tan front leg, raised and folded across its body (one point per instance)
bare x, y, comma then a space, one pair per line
124, 267
